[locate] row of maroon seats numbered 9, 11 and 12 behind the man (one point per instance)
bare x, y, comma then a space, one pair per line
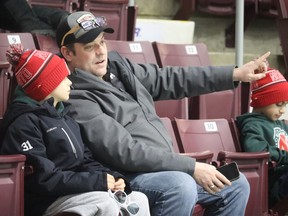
204, 107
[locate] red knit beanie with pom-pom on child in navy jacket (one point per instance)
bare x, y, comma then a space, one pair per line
37, 72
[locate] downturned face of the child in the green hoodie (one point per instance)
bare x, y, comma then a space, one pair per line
274, 111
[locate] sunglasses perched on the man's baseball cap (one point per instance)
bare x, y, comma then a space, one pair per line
86, 25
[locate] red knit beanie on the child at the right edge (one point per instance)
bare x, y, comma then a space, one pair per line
271, 89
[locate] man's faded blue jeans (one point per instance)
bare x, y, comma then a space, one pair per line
176, 193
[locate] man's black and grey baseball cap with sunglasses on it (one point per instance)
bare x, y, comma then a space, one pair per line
82, 27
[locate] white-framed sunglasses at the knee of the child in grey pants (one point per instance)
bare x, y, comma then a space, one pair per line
127, 208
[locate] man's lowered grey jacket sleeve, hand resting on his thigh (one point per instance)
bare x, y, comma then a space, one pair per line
117, 142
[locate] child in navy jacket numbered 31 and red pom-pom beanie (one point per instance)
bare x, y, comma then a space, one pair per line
66, 179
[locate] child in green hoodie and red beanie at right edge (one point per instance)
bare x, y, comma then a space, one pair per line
262, 130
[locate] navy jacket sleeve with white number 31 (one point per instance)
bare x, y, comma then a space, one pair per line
24, 137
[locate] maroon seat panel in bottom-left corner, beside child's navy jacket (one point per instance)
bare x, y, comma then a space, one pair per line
12, 185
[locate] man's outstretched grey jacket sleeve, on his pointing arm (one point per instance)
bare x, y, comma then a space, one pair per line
178, 82
